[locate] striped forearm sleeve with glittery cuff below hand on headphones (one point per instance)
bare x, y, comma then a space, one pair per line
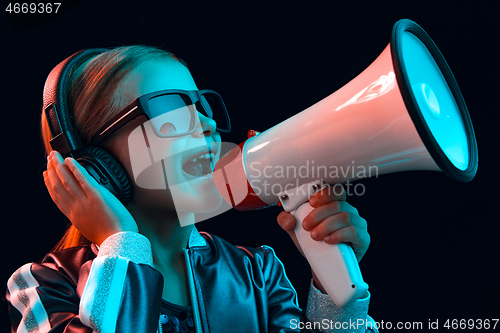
123, 291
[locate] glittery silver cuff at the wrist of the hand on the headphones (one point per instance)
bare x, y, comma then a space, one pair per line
130, 245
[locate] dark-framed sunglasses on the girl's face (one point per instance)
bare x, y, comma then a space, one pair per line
172, 112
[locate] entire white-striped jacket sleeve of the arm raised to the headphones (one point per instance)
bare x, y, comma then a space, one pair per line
119, 291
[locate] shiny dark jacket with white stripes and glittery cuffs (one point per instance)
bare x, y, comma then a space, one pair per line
115, 288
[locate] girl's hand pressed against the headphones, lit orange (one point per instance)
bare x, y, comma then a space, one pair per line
90, 207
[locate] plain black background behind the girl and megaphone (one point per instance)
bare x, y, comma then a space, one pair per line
434, 251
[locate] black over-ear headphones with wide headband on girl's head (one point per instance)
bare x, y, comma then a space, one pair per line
67, 140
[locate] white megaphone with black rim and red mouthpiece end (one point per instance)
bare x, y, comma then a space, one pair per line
404, 112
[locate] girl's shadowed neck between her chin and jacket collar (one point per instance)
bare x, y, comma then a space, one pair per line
164, 231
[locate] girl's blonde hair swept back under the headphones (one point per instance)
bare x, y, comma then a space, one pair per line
95, 95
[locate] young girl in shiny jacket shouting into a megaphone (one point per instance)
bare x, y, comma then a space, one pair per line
134, 268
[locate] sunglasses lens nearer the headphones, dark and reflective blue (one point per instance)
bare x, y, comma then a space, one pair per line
171, 114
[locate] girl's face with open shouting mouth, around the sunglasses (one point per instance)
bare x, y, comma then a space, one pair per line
168, 173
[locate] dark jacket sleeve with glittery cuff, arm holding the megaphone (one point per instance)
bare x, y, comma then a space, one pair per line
321, 315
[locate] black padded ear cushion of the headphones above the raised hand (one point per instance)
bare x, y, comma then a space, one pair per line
112, 169
